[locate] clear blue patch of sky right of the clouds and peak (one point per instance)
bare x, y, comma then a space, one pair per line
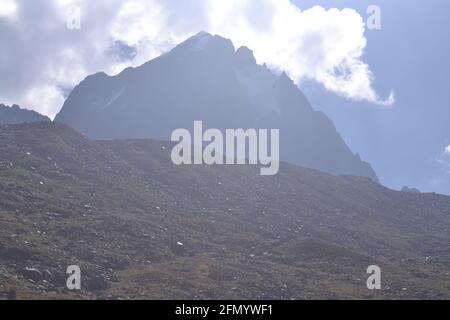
407, 143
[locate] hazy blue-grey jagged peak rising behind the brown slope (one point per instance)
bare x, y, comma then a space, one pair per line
205, 78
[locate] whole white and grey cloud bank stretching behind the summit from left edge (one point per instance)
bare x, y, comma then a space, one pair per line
43, 57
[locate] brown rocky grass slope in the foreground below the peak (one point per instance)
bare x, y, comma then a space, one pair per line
140, 227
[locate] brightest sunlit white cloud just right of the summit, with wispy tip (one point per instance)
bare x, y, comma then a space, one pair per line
316, 44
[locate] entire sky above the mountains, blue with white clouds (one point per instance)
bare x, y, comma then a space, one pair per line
386, 90
